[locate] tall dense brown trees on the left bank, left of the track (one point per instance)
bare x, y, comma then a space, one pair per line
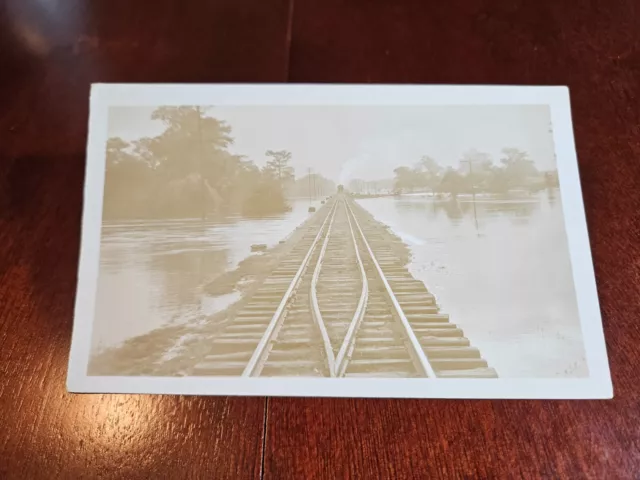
187, 170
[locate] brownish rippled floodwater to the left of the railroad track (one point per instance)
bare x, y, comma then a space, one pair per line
152, 271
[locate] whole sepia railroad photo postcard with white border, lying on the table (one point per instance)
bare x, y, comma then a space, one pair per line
335, 240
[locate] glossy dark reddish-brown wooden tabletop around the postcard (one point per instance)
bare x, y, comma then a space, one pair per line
50, 52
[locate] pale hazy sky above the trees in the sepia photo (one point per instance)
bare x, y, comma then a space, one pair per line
367, 142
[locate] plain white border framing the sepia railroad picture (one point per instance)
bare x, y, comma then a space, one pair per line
597, 385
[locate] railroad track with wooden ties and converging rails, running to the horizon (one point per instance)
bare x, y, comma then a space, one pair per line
342, 304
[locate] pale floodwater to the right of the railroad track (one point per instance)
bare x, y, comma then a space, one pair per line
507, 282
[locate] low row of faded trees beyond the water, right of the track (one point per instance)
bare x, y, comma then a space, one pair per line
476, 173
